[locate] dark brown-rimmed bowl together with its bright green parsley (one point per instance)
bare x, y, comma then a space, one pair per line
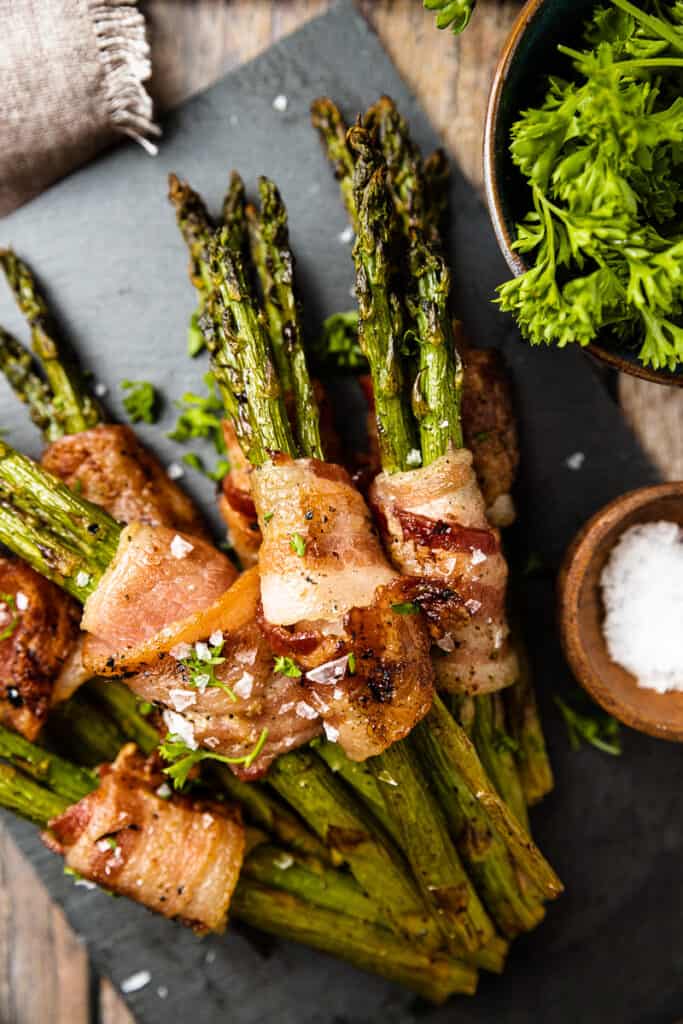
584, 178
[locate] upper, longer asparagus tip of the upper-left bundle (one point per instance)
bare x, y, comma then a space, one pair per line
78, 409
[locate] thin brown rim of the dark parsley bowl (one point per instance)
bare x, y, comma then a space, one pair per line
493, 193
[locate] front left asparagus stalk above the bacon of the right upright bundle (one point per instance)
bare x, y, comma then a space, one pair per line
380, 327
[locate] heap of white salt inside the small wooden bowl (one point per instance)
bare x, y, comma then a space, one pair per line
643, 591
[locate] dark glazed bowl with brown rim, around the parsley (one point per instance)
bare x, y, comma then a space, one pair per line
521, 81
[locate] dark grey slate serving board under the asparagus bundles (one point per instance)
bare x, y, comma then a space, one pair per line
612, 950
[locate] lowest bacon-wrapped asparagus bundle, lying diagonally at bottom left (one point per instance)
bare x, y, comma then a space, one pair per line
114, 829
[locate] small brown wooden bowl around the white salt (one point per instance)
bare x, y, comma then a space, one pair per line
581, 614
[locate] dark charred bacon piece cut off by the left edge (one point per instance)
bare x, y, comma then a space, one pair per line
38, 633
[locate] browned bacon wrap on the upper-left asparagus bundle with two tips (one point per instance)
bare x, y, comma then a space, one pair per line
110, 467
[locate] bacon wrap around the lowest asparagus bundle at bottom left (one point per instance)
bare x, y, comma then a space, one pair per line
178, 857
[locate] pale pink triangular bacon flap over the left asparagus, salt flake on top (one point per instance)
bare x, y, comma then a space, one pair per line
157, 582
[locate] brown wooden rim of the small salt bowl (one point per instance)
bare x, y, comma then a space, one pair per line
576, 564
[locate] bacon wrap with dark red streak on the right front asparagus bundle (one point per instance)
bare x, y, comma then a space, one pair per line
437, 531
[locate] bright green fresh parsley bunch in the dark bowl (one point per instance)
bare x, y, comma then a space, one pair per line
604, 158
